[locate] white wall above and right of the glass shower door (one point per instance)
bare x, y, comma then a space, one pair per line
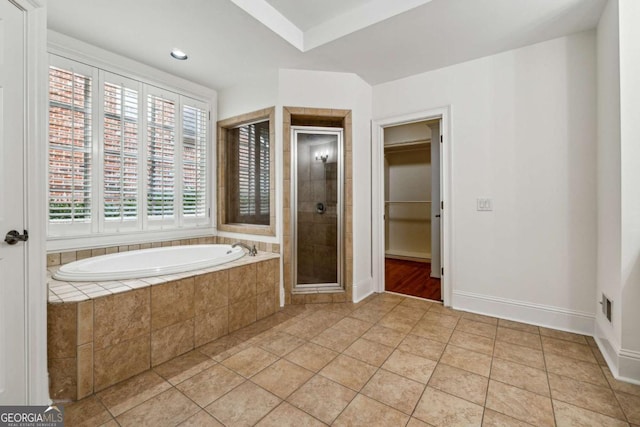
317, 89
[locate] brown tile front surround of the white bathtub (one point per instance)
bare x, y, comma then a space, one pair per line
96, 343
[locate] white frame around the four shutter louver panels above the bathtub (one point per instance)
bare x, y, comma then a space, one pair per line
101, 232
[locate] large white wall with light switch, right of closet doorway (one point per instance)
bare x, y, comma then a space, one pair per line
533, 257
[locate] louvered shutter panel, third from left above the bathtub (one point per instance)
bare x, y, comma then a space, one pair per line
161, 167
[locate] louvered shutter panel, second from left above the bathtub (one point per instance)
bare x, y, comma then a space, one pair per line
121, 154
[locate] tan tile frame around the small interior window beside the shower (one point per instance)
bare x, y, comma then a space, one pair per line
223, 224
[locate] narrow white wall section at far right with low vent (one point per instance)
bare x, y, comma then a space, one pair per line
609, 197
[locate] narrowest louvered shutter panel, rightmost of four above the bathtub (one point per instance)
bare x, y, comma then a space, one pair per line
194, 160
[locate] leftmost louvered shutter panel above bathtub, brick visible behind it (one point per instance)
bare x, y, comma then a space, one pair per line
70, 136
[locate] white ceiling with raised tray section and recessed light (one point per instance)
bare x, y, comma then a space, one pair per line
233, 41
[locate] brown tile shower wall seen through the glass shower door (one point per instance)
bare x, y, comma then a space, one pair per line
317, 233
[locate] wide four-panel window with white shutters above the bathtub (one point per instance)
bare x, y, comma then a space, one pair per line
123, 155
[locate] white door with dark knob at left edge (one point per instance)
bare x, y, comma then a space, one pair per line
12, 257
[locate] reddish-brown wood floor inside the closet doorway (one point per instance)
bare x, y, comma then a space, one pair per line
411, 278
